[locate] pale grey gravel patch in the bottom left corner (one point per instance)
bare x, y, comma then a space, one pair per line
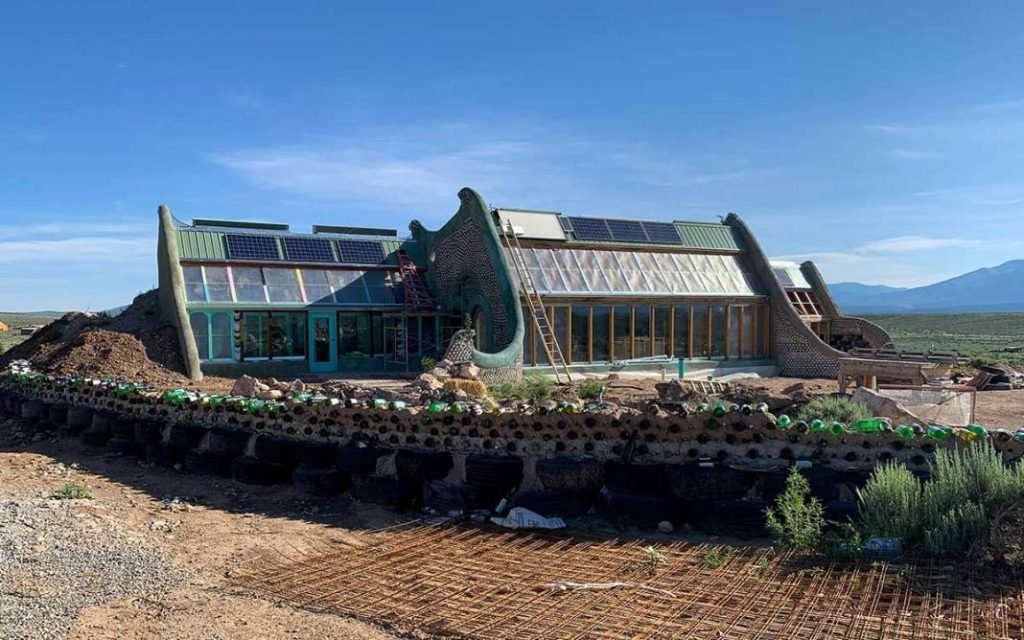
58, 559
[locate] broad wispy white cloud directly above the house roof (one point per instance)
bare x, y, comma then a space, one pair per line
422, 167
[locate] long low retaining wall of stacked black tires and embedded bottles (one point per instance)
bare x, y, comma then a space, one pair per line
562, 463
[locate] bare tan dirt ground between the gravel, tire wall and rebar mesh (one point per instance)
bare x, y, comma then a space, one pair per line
212, 528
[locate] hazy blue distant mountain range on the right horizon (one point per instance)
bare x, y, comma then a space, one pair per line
993, 289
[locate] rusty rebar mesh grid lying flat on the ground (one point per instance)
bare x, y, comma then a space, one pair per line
473, 583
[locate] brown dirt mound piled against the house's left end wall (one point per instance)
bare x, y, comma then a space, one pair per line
136, 346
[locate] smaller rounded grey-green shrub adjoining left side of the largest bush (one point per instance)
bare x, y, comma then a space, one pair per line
890, 503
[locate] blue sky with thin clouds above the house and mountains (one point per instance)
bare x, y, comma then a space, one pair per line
883, 140
